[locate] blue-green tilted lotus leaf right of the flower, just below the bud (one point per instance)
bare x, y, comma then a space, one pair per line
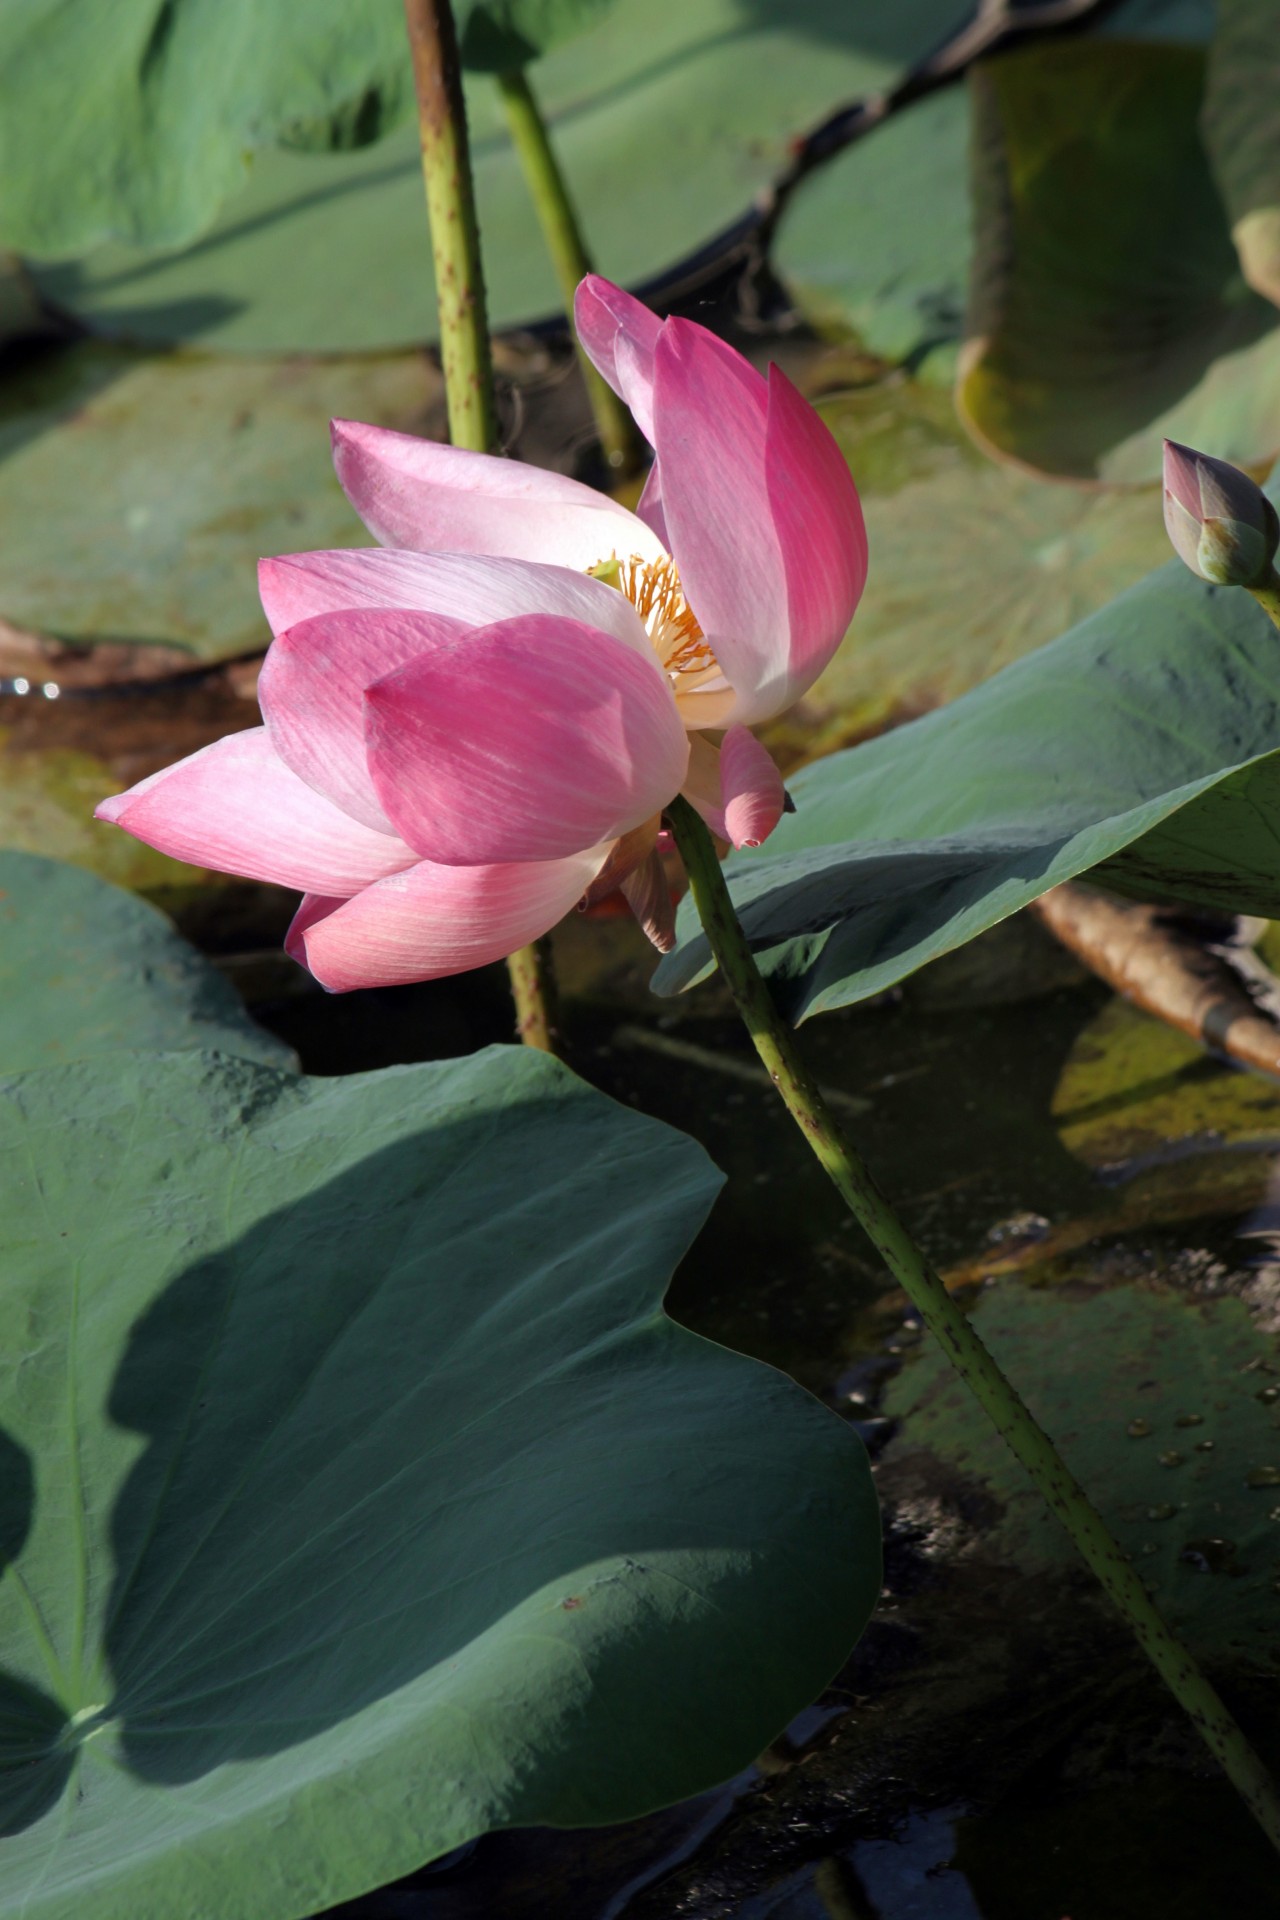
1145, 742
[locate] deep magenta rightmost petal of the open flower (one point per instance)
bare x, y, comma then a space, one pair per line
820, 533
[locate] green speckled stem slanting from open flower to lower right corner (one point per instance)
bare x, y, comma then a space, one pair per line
1035, 1451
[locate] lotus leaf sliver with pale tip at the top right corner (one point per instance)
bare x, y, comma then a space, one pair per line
1243, 137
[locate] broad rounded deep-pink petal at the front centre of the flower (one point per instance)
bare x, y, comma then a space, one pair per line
523, 742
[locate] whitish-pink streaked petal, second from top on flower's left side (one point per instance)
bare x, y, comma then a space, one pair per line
462, 587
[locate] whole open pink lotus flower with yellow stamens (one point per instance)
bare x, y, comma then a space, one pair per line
479, 725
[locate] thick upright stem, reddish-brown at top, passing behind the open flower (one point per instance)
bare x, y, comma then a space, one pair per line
465, 341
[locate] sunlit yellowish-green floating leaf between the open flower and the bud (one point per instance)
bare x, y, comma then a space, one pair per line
974, 564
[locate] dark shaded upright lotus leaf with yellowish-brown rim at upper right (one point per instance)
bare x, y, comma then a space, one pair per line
1108, 302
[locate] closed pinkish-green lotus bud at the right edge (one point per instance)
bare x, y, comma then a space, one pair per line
1218, 519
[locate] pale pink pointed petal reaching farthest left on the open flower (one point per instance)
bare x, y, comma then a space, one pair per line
239, 809
